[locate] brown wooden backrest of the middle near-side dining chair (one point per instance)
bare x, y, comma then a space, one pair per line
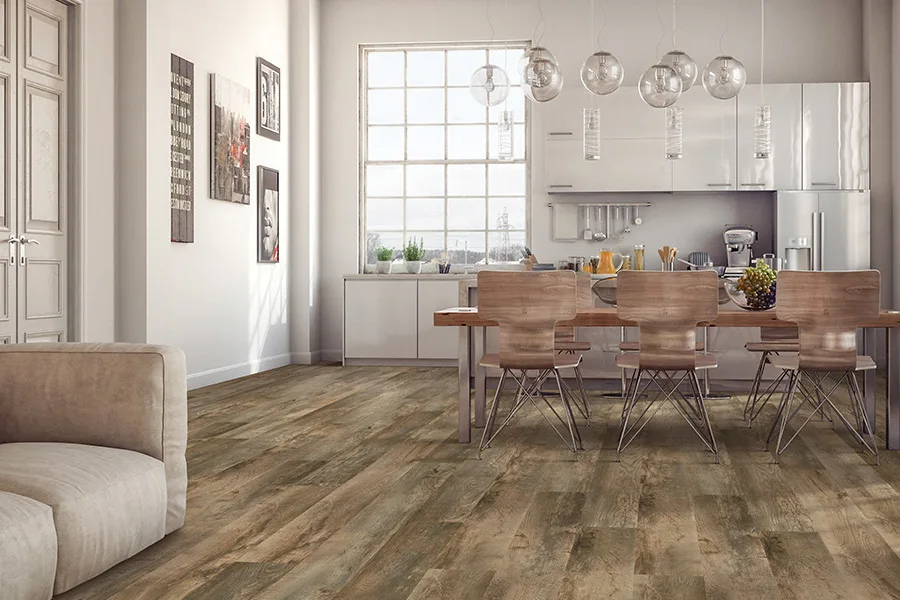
667, 306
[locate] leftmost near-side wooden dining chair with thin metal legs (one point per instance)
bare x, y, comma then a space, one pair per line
528, 306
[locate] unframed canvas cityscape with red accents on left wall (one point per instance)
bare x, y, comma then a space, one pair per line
230, 107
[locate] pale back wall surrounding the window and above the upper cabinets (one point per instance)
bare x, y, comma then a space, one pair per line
806, 41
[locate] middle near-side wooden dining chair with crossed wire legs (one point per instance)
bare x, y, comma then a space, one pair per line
667, 307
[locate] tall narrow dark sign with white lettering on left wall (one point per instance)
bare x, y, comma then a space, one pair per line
181, 150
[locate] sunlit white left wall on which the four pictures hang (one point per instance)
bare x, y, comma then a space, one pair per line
210, 298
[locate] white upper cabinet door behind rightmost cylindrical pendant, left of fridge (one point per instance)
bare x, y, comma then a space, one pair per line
784, 168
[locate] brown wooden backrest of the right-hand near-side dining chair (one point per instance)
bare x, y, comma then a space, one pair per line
828, 306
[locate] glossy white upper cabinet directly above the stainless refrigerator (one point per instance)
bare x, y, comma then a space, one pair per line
836, 136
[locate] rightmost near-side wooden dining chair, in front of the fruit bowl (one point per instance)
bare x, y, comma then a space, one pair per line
827, 306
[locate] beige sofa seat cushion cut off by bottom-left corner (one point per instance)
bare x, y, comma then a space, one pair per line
27, 548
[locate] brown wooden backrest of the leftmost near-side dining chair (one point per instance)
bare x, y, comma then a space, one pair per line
527, 305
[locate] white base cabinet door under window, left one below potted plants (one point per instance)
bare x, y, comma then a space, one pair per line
380, 319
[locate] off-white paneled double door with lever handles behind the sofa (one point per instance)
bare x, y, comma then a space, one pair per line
33, 174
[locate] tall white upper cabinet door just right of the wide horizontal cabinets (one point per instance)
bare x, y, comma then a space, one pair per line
709, 157
